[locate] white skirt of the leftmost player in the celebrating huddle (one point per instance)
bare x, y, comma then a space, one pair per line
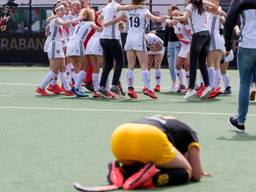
55, 50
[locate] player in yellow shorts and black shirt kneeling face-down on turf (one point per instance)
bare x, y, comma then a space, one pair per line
154, 151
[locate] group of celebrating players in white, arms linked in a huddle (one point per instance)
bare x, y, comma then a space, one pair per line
80, 41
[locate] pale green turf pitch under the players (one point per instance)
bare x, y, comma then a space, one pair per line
46, 144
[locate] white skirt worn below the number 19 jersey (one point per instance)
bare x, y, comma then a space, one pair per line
135, 42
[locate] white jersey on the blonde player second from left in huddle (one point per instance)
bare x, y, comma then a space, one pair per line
82, 30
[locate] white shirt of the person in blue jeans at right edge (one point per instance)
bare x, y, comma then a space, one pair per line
248, 29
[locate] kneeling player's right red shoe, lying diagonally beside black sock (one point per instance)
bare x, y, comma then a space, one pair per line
141, 178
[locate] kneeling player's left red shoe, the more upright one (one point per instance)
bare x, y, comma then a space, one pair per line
115, 175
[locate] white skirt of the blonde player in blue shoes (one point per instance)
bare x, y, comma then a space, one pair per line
75, 47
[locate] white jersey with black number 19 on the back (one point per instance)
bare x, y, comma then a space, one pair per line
137, 21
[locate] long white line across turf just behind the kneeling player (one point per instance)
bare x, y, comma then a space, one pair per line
117, 110
